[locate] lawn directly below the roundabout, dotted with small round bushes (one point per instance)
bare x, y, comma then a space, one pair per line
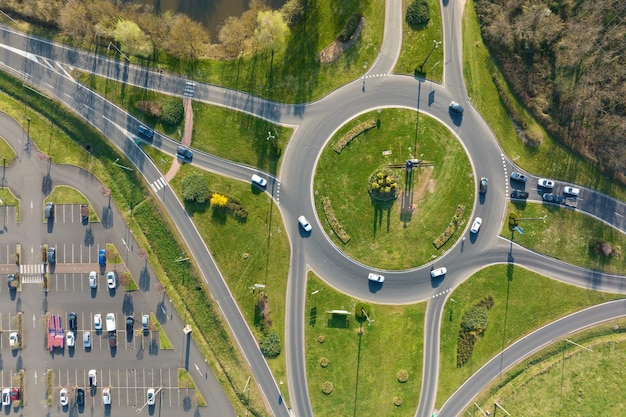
363, 367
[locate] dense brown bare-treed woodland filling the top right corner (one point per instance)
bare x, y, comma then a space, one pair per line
566, 62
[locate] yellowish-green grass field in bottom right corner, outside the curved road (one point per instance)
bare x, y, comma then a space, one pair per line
567, 380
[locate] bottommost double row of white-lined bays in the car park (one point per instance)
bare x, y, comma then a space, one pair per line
134, 388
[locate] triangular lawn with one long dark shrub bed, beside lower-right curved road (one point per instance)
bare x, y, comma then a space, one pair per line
516, 304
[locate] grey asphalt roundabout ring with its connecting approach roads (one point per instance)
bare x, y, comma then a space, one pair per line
316, 122
